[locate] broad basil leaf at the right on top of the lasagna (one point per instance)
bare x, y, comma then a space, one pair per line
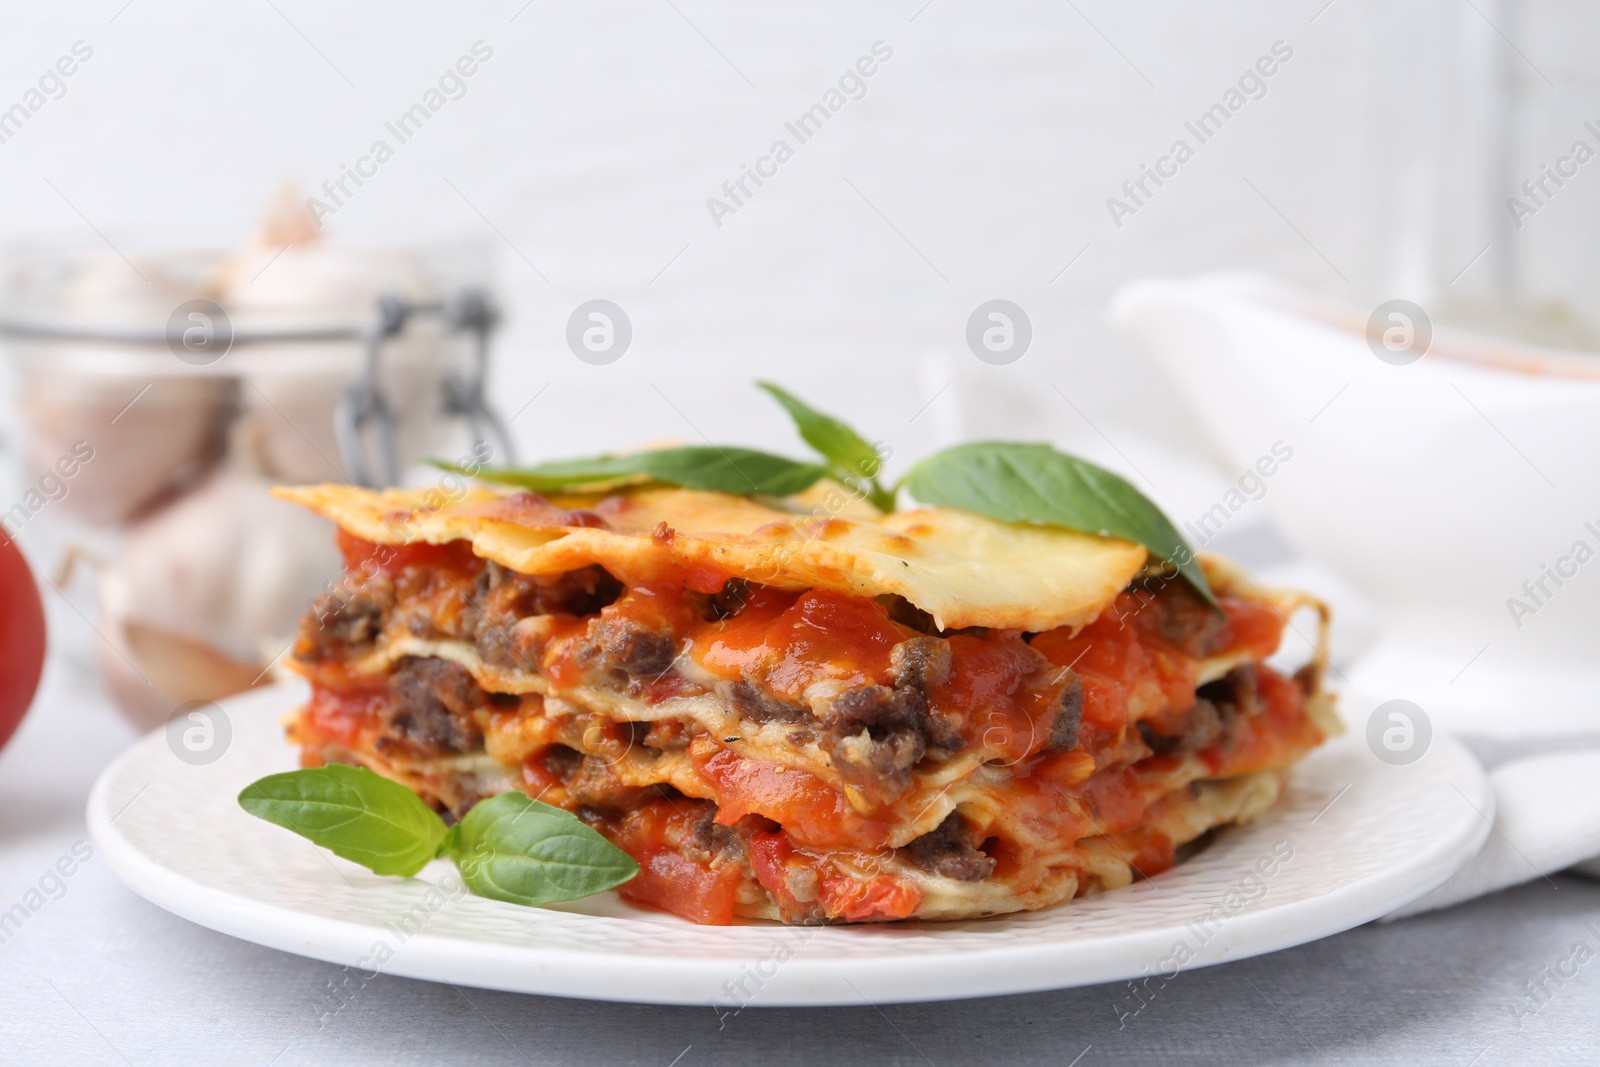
1036, 484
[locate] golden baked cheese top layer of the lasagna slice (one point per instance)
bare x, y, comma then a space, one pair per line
961, 569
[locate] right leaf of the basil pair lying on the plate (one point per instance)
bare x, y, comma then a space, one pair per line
524, 852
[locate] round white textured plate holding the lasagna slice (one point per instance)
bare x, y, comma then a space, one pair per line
1362, 837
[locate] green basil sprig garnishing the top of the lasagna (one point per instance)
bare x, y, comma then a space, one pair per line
1012, 482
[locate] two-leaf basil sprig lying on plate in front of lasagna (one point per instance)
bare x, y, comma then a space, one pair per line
508, 849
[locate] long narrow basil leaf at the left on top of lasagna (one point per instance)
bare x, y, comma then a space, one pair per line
740, 471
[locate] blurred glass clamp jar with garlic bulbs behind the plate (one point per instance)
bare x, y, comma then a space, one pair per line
161, 398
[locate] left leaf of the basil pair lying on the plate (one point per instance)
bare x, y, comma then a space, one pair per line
353, 813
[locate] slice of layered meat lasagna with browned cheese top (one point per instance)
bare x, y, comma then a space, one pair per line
801, 716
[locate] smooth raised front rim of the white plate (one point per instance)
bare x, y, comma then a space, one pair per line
890, 978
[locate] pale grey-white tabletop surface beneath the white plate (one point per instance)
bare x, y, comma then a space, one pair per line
100, 977
